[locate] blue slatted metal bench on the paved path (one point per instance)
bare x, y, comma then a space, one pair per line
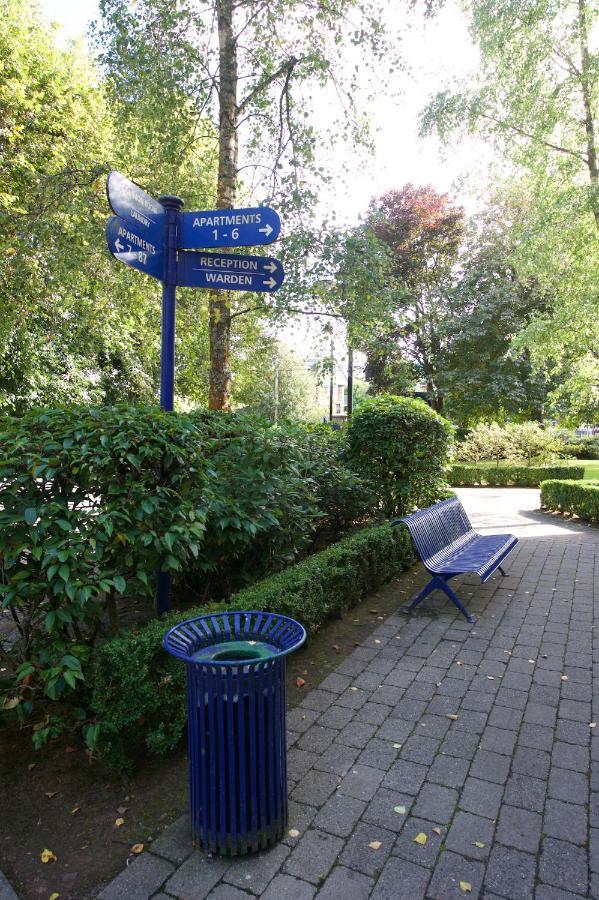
448, 546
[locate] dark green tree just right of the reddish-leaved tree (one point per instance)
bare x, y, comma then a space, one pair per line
489, 304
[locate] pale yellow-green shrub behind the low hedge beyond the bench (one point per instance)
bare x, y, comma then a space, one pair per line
525, 440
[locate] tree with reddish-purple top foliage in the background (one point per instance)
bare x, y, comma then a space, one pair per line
423, 231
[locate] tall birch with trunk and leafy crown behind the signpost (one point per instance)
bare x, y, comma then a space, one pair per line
245, 63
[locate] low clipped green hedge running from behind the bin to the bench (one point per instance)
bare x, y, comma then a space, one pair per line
139, 691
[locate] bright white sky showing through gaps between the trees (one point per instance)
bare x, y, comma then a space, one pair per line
436, 53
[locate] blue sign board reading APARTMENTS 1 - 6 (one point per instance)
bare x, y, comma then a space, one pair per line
229, 228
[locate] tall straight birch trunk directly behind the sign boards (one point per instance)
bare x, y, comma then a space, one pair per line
219, 302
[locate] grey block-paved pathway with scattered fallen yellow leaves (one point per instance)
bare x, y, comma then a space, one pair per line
478, 738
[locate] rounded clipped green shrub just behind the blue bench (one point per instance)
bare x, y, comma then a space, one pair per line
400, 446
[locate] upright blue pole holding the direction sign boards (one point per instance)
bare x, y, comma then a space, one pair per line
173, 206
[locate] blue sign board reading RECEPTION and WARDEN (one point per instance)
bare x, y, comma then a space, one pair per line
228, 272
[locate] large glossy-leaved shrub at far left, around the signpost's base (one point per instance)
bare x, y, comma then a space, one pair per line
92, 501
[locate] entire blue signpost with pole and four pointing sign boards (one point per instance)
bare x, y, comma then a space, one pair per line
156, 237
